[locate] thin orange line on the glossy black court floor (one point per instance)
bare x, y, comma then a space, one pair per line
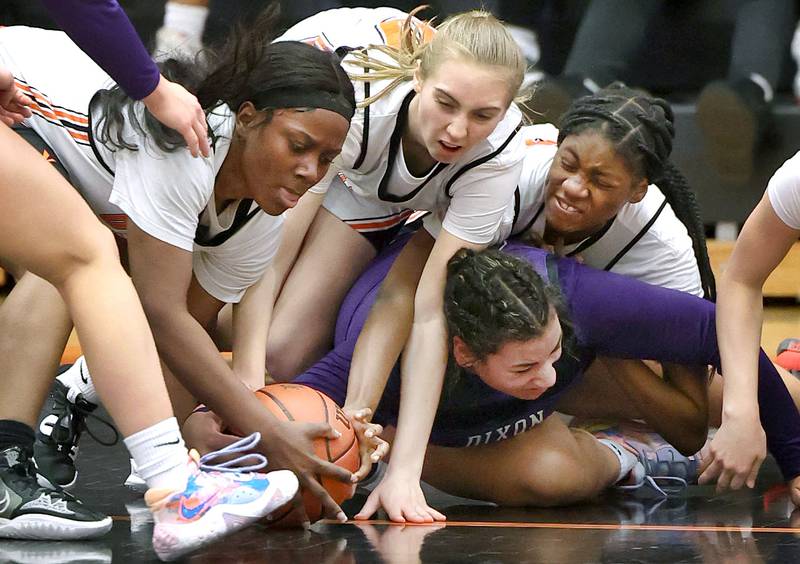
596, 526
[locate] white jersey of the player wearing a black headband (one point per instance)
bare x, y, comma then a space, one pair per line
169, 196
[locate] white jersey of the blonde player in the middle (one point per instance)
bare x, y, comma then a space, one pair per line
369, 185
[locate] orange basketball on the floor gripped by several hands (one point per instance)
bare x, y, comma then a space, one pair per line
293, 402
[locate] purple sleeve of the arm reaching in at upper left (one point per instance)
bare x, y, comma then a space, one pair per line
104, 32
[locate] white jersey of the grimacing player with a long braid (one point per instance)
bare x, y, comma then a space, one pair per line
645, 240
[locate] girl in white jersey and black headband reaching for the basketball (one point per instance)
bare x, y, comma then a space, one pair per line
200, 232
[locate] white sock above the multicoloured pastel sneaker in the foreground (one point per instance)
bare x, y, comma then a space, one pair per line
160, 455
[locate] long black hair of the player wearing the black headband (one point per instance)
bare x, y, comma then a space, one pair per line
246, 67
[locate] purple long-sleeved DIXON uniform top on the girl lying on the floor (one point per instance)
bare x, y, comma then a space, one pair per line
612, 315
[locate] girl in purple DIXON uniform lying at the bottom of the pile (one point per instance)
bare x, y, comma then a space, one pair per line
523, 325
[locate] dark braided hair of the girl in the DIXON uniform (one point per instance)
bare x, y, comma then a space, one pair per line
492, 298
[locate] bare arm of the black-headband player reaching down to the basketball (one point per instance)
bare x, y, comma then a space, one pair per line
162, 275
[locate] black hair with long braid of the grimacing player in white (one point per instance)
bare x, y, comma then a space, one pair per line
640, 128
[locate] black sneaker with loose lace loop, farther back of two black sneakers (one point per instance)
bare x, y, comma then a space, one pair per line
57, 438
